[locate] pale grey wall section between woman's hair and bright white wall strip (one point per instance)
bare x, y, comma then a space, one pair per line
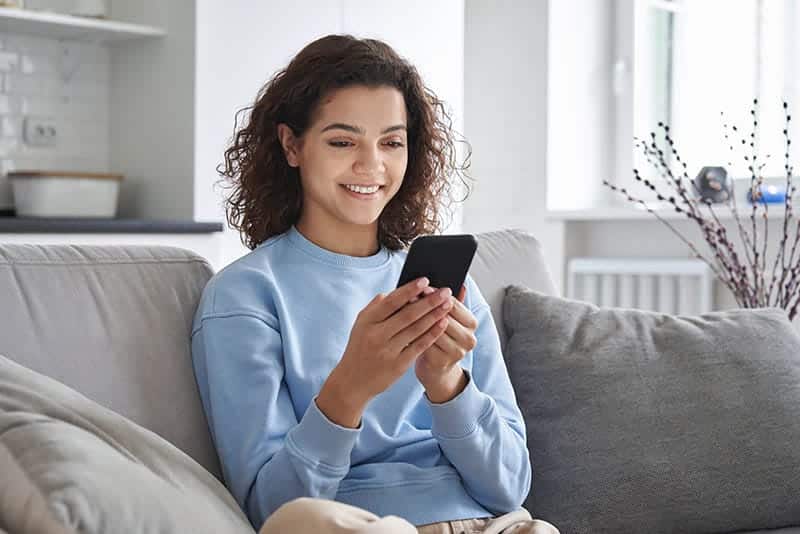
505, 102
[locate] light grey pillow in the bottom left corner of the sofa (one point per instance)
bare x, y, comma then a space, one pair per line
95, 470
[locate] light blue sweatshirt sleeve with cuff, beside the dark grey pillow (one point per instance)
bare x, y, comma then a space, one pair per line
481, 431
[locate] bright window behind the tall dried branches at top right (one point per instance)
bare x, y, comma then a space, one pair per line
696, 59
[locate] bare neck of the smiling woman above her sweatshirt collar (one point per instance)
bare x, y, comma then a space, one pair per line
342, 238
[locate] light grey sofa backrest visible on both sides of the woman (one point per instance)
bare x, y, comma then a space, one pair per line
114, 322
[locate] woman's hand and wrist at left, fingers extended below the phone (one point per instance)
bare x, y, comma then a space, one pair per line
387, 337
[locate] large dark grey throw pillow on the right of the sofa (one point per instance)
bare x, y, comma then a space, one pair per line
645, 422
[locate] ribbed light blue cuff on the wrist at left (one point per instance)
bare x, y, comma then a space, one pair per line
319, 441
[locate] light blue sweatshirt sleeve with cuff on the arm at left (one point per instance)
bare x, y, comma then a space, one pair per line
268, 457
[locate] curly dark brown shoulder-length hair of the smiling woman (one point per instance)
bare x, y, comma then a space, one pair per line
267, 196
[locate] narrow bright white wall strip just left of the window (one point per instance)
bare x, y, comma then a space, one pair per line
580, 128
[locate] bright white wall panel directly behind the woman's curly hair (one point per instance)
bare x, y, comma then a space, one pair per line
266, 35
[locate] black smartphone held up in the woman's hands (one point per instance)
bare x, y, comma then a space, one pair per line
443, 259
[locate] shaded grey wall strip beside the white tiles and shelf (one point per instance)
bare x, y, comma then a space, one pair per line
152, 111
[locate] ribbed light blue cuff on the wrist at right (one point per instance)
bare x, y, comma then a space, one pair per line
459, 417
